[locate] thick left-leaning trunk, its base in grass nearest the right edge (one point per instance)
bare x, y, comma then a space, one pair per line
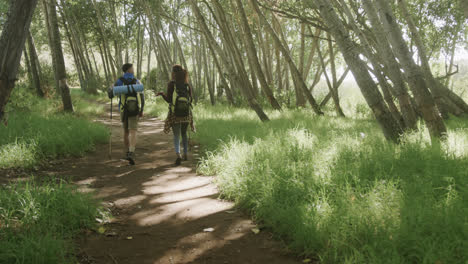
414, 74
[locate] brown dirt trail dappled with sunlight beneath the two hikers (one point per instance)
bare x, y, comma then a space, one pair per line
165, 209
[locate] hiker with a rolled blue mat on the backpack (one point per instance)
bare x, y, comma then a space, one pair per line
131, 108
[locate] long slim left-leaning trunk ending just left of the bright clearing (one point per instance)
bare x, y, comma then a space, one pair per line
294, 71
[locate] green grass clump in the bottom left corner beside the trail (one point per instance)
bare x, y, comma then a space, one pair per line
38, 222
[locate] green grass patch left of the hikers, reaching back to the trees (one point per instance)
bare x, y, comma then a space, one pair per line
37, 130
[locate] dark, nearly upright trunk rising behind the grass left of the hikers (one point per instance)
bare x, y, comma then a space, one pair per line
56, 48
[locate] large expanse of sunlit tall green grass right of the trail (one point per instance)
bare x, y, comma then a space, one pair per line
334, 189
